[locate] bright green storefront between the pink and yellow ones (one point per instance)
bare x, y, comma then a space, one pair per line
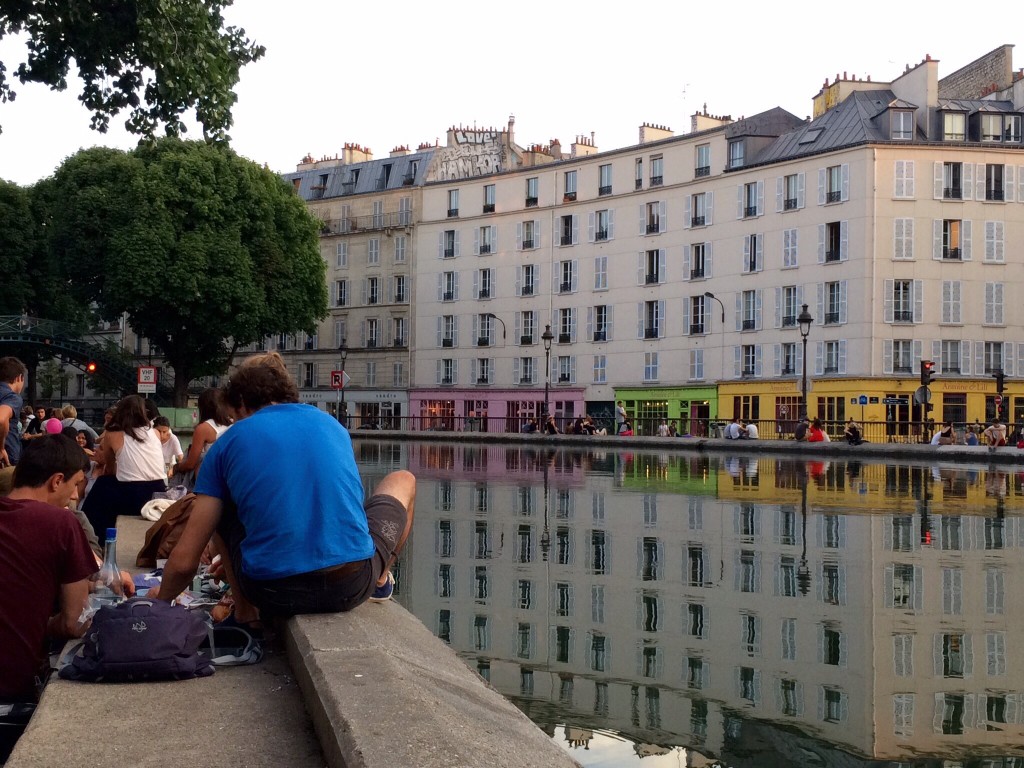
693, 409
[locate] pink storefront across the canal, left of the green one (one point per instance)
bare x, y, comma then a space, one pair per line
491, 410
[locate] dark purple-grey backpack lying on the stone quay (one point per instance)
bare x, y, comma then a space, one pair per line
141, 641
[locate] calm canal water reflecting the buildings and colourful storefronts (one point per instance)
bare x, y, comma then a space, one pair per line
650, 609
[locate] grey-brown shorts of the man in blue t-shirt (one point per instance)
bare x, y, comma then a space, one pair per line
331, 590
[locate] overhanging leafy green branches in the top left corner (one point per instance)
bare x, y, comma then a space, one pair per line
156, 59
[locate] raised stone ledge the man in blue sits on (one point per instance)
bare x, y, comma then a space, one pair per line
383, 692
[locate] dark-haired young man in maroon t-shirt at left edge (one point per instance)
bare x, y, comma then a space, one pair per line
46, 562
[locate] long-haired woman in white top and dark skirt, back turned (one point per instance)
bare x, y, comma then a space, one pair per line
133, 444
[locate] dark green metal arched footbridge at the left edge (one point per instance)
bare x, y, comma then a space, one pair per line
68, 344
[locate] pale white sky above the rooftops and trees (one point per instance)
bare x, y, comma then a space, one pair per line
397, 73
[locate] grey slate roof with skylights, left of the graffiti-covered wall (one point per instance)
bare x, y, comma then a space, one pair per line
368, 177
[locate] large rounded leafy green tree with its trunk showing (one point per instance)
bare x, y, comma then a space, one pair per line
204, 250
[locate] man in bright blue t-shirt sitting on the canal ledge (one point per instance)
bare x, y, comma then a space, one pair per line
281, 495
